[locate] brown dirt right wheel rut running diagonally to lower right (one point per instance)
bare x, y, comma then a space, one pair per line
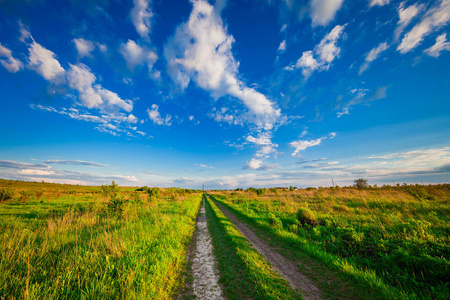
285, 267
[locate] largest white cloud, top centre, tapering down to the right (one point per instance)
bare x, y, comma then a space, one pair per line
200, 51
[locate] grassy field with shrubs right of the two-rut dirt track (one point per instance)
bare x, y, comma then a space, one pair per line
390, 242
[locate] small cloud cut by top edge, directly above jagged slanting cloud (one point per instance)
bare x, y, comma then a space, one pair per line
322, 12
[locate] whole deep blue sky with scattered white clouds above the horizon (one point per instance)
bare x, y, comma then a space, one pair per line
225, 93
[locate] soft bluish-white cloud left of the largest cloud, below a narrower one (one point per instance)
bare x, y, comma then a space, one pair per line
136, 55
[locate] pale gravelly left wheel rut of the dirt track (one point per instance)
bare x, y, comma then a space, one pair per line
204, 264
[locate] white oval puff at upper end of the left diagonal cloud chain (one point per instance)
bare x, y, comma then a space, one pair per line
43, 61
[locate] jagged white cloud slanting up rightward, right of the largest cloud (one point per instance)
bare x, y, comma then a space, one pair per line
326, 52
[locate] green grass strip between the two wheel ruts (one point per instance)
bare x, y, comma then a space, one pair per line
244, 272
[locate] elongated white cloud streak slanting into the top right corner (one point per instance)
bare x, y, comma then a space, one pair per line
435, 18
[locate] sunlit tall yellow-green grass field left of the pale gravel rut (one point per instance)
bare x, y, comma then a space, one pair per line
77, 242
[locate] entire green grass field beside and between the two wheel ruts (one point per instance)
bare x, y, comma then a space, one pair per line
86, 242
